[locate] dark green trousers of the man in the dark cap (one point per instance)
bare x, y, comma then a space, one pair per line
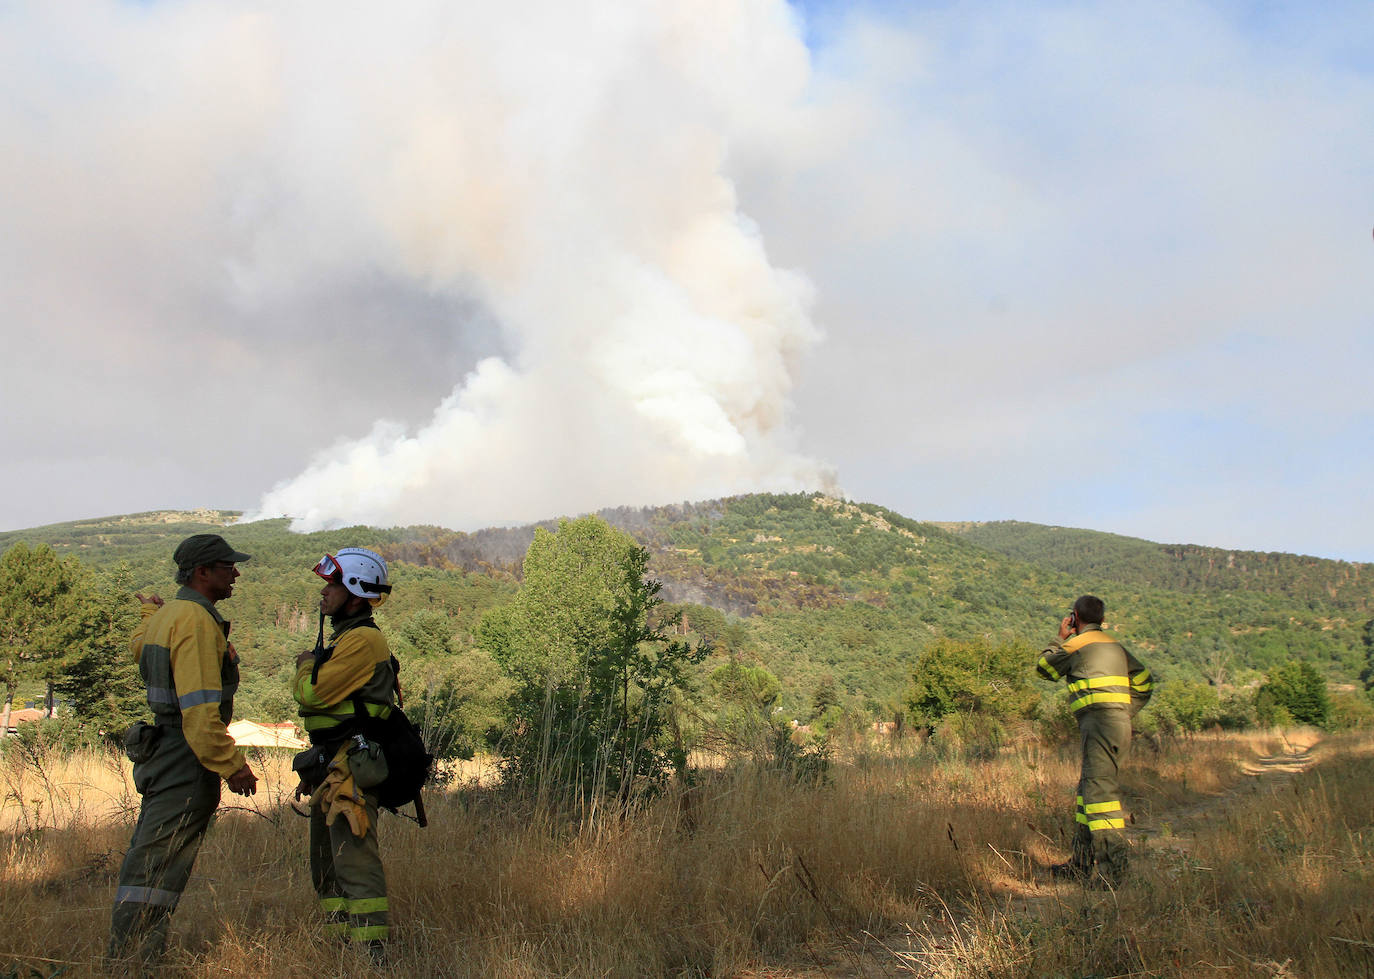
179, 800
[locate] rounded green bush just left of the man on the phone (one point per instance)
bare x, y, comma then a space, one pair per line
971, 678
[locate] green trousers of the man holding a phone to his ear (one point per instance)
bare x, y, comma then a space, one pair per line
1100, 822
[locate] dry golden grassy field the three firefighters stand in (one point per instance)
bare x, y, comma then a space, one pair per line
1254, 857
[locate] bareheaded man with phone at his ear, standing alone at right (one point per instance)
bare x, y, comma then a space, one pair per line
1107, 689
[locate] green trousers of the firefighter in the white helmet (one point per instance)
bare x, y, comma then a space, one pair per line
348, 877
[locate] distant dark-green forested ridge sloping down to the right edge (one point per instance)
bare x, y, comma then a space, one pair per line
1182, 568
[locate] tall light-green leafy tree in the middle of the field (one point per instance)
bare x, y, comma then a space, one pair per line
596, 683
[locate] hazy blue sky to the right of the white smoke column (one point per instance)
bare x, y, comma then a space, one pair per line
1180, 207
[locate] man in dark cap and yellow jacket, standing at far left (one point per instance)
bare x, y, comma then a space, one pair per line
192, 673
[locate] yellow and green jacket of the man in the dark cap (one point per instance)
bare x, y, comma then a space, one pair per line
182, 650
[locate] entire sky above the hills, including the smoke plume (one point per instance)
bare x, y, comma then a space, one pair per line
1079, 264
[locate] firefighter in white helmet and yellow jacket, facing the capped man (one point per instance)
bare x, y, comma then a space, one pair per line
337, 687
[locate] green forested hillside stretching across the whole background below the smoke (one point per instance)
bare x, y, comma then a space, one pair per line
822, 592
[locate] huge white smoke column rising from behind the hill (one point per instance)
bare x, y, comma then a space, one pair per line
564, 167
